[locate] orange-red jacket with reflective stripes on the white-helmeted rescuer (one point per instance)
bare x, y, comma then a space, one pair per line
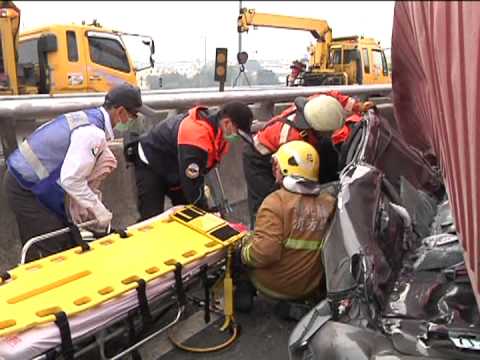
278, 131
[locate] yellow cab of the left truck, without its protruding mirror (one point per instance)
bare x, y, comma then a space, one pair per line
73, 58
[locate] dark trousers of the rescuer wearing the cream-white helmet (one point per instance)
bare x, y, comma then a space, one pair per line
259, 178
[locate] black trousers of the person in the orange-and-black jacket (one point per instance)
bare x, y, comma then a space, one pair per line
151, 191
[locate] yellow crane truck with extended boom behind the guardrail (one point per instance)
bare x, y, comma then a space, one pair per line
333, 61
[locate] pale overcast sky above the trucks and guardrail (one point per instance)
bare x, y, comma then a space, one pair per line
179, 28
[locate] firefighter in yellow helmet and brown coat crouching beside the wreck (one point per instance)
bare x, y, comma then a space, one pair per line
283, 253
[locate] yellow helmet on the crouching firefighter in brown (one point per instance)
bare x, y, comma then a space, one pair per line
298, 158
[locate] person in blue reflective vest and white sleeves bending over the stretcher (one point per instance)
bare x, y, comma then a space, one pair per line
57, 159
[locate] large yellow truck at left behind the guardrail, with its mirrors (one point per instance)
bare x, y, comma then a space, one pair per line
64, 58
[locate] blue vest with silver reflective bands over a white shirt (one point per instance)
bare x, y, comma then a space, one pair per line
37, 162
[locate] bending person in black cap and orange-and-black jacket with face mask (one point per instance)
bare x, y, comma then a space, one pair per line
173, 158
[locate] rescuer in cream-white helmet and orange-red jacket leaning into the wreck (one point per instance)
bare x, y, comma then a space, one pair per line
312, 120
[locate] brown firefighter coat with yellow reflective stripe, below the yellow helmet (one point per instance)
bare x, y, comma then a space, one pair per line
285, 249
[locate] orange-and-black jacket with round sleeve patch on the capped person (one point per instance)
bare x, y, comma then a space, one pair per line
184, 148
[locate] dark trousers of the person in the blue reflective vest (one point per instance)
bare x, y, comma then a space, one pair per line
34, 219
